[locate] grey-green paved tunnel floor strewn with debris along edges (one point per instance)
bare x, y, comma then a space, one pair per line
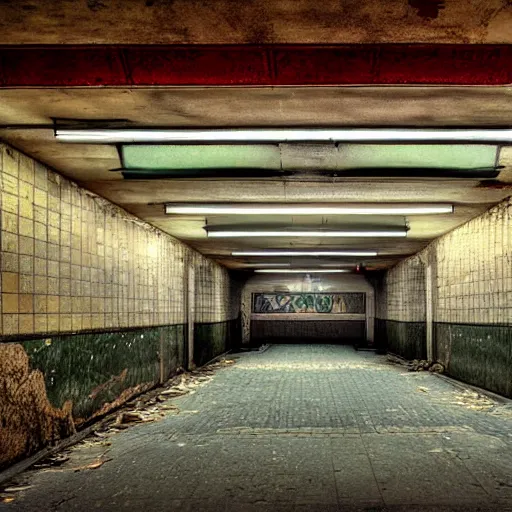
299, 427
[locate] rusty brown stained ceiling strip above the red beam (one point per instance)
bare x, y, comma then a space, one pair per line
261, 22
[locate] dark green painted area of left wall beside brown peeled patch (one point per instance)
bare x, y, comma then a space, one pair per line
94, 369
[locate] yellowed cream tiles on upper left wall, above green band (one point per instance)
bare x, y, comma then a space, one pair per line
72, 261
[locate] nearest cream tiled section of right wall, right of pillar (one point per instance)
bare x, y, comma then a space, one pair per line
474, 270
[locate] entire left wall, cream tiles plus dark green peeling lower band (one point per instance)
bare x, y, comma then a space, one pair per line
93, 306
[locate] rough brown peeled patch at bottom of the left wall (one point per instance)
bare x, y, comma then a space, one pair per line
27, 419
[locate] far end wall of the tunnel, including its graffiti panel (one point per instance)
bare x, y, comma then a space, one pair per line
329, 317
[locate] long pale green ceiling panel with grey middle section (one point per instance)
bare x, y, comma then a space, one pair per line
253, 160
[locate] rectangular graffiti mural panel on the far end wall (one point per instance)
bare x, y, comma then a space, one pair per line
332, 303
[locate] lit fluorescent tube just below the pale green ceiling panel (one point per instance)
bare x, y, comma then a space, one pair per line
304, 209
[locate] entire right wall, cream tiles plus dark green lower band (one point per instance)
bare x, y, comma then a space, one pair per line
452, 302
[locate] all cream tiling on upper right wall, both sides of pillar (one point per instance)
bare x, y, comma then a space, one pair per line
472, 275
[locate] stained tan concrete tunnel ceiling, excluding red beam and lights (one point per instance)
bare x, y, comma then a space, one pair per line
27, 113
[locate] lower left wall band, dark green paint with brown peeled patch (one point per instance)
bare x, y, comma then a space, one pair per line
49, 386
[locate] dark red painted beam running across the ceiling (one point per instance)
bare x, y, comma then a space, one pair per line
280, 65
